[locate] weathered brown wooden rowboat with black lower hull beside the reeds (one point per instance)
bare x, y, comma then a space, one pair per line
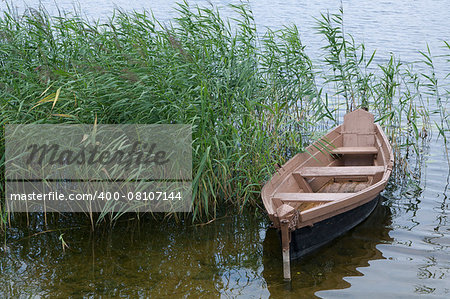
329, 189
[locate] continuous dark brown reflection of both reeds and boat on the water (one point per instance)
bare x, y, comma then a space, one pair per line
232, 256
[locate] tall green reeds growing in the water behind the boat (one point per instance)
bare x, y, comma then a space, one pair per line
254, 100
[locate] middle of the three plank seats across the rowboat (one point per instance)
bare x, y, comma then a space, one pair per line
340, 171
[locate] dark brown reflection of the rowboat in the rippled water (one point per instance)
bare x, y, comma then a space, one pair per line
327, 267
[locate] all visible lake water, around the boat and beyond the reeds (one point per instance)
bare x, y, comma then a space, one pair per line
402, 250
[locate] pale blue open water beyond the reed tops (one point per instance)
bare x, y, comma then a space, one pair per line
402, 27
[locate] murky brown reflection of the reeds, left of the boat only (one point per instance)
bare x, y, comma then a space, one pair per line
137, 259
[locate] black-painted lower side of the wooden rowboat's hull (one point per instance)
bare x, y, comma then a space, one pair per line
308, 239
